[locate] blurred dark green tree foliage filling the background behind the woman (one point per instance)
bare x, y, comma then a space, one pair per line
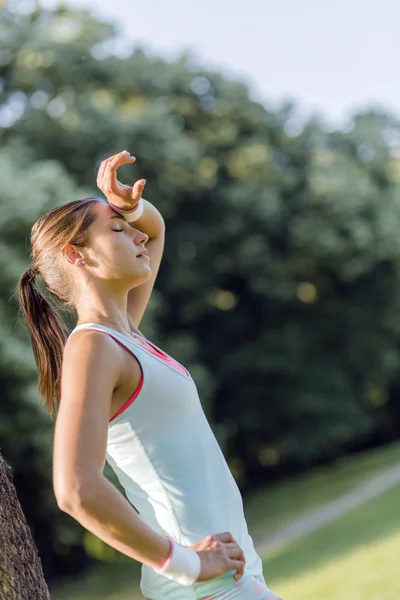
279, 288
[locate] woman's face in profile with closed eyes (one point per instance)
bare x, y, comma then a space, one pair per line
114, 247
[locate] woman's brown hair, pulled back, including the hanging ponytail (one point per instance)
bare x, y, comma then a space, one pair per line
65, 224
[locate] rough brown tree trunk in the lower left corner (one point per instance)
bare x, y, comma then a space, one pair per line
21, 574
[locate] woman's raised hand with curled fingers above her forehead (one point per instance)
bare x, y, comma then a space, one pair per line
123, 196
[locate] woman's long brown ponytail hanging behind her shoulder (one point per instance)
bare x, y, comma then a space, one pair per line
48, 334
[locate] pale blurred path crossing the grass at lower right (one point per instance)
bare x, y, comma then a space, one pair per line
329, 512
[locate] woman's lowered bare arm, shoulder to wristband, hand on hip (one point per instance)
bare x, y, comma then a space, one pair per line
91, 371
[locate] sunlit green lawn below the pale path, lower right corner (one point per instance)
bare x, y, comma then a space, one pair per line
355, 558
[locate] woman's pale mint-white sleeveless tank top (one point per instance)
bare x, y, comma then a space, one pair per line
171, 467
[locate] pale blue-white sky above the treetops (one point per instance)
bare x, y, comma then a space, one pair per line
331, 58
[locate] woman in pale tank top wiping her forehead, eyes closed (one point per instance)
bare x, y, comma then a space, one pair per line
120, 398
